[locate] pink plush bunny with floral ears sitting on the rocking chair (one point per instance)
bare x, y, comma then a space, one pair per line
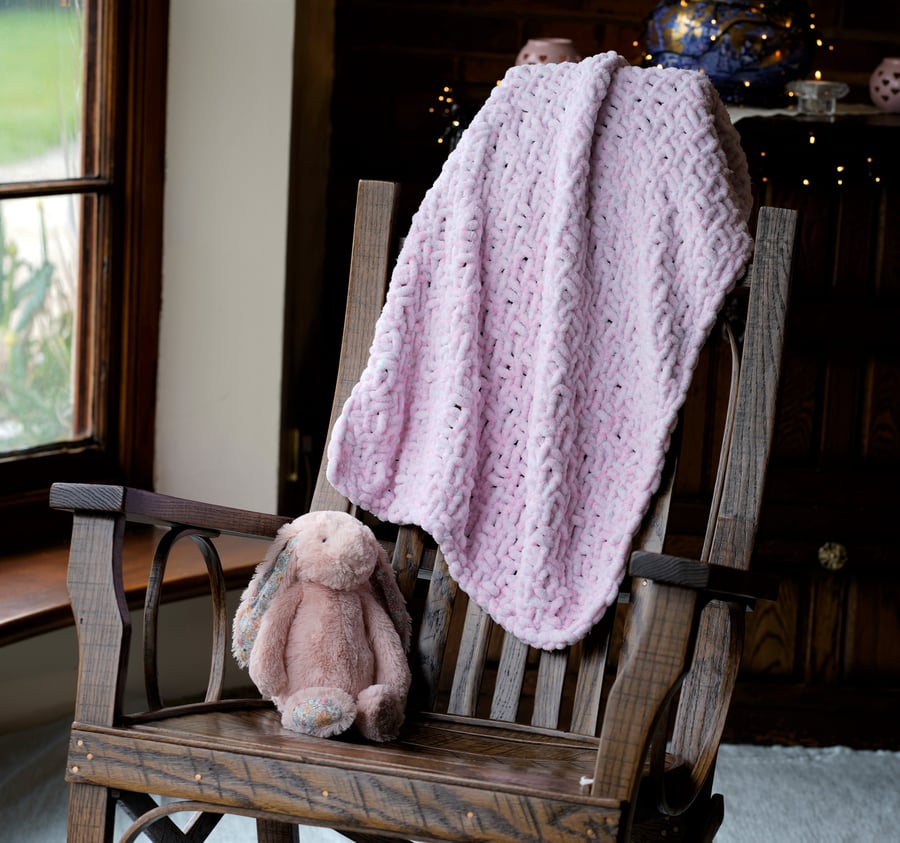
324, 629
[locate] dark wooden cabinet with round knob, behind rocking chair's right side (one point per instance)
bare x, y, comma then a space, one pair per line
822, 665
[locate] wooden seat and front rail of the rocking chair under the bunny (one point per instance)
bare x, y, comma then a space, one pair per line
524, 782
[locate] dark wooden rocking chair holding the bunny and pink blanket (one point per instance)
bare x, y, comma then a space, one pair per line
614, 740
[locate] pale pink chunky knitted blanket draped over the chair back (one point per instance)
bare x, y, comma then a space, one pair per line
540, 330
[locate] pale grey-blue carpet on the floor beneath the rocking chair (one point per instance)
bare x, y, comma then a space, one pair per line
772, 794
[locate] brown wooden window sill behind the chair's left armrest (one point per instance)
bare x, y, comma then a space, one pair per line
34, 598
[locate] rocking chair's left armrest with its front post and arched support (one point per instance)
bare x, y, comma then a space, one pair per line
97, 592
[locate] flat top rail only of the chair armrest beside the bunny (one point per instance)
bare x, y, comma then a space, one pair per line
150, 508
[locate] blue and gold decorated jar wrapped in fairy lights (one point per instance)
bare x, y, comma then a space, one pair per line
749, 49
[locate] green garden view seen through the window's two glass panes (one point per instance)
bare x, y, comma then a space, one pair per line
41, 69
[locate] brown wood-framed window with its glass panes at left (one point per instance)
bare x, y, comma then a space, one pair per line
82, 107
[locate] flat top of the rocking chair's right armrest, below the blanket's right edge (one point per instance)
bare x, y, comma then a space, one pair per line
716, 580
